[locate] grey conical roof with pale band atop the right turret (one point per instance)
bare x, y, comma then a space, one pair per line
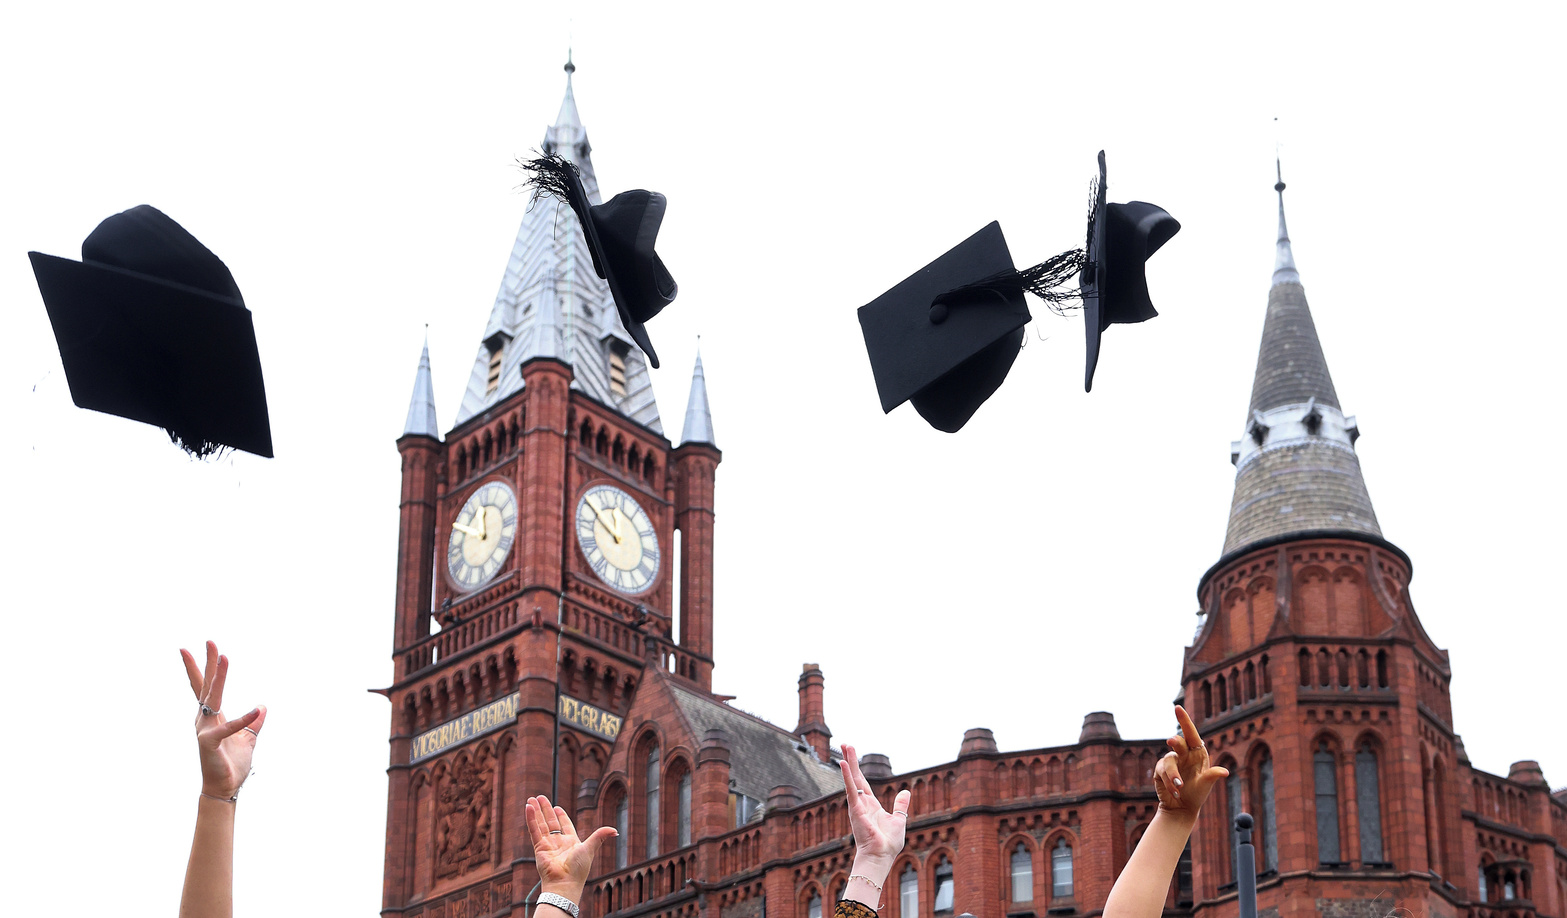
1297, 466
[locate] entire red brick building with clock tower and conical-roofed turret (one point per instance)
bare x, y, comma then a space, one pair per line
554, 631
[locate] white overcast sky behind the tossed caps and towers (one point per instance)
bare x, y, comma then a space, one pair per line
353, 165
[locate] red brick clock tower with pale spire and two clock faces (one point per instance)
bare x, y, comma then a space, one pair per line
554, 551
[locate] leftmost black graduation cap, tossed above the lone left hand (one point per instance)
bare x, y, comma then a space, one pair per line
153, 328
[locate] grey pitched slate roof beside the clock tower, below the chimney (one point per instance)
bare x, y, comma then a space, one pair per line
761, 756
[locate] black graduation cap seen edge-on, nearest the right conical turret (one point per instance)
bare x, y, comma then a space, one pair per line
1113, 284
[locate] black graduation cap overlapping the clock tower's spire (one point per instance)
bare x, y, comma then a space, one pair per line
621, 234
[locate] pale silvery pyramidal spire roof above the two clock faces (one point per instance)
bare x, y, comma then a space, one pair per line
554, 305
